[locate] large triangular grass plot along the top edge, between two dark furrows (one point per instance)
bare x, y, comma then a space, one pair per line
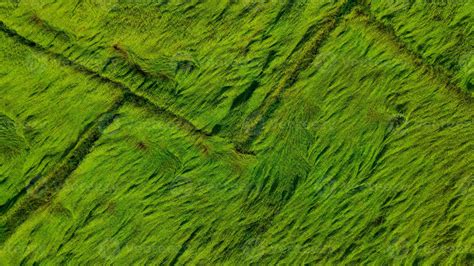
202, 59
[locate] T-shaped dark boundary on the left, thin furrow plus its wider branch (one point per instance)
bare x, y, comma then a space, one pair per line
40, 192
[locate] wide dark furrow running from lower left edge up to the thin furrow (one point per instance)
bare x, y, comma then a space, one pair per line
42, 193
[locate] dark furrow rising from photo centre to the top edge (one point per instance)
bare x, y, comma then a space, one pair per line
309, 51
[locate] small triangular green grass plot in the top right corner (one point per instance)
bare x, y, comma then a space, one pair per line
439, 31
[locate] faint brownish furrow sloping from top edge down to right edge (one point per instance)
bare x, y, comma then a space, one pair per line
437, 71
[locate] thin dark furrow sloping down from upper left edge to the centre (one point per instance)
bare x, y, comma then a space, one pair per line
83, 69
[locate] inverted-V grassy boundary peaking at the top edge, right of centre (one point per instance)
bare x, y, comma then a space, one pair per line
311, 50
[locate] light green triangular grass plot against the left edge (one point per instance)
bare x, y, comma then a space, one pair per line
41, 116
